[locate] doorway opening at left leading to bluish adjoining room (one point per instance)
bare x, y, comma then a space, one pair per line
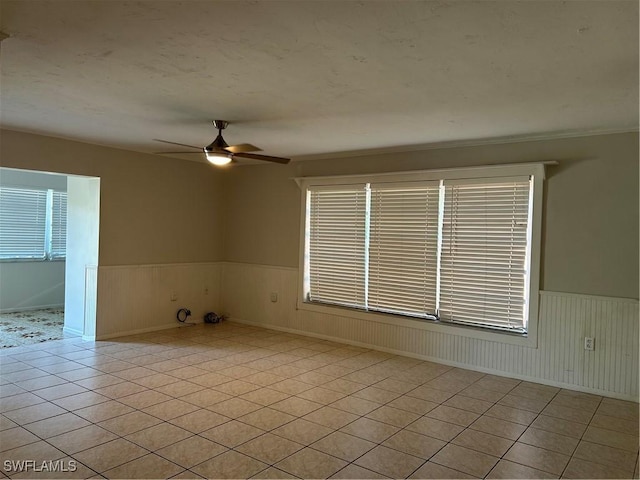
48, 256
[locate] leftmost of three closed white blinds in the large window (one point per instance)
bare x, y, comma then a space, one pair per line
337, 245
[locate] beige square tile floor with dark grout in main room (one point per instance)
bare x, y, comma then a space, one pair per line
231, 401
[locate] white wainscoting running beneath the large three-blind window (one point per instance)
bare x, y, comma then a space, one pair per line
559, 359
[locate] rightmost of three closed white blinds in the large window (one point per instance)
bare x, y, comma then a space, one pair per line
485, 234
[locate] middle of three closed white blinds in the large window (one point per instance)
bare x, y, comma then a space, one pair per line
403, 248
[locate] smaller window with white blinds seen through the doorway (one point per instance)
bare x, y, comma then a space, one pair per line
33, 224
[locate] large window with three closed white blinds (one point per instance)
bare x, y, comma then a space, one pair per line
454, 246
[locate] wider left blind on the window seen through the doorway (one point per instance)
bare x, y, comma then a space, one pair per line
23, 220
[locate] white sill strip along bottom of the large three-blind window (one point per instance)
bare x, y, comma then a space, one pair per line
525, 340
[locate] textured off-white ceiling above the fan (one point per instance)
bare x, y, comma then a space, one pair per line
305, 78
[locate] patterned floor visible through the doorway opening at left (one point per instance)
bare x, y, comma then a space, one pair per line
29, 327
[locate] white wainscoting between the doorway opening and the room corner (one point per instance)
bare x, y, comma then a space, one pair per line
137, 298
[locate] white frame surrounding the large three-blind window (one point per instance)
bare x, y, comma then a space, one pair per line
495, 172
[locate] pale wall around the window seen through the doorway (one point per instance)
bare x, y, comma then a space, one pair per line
27, 285
